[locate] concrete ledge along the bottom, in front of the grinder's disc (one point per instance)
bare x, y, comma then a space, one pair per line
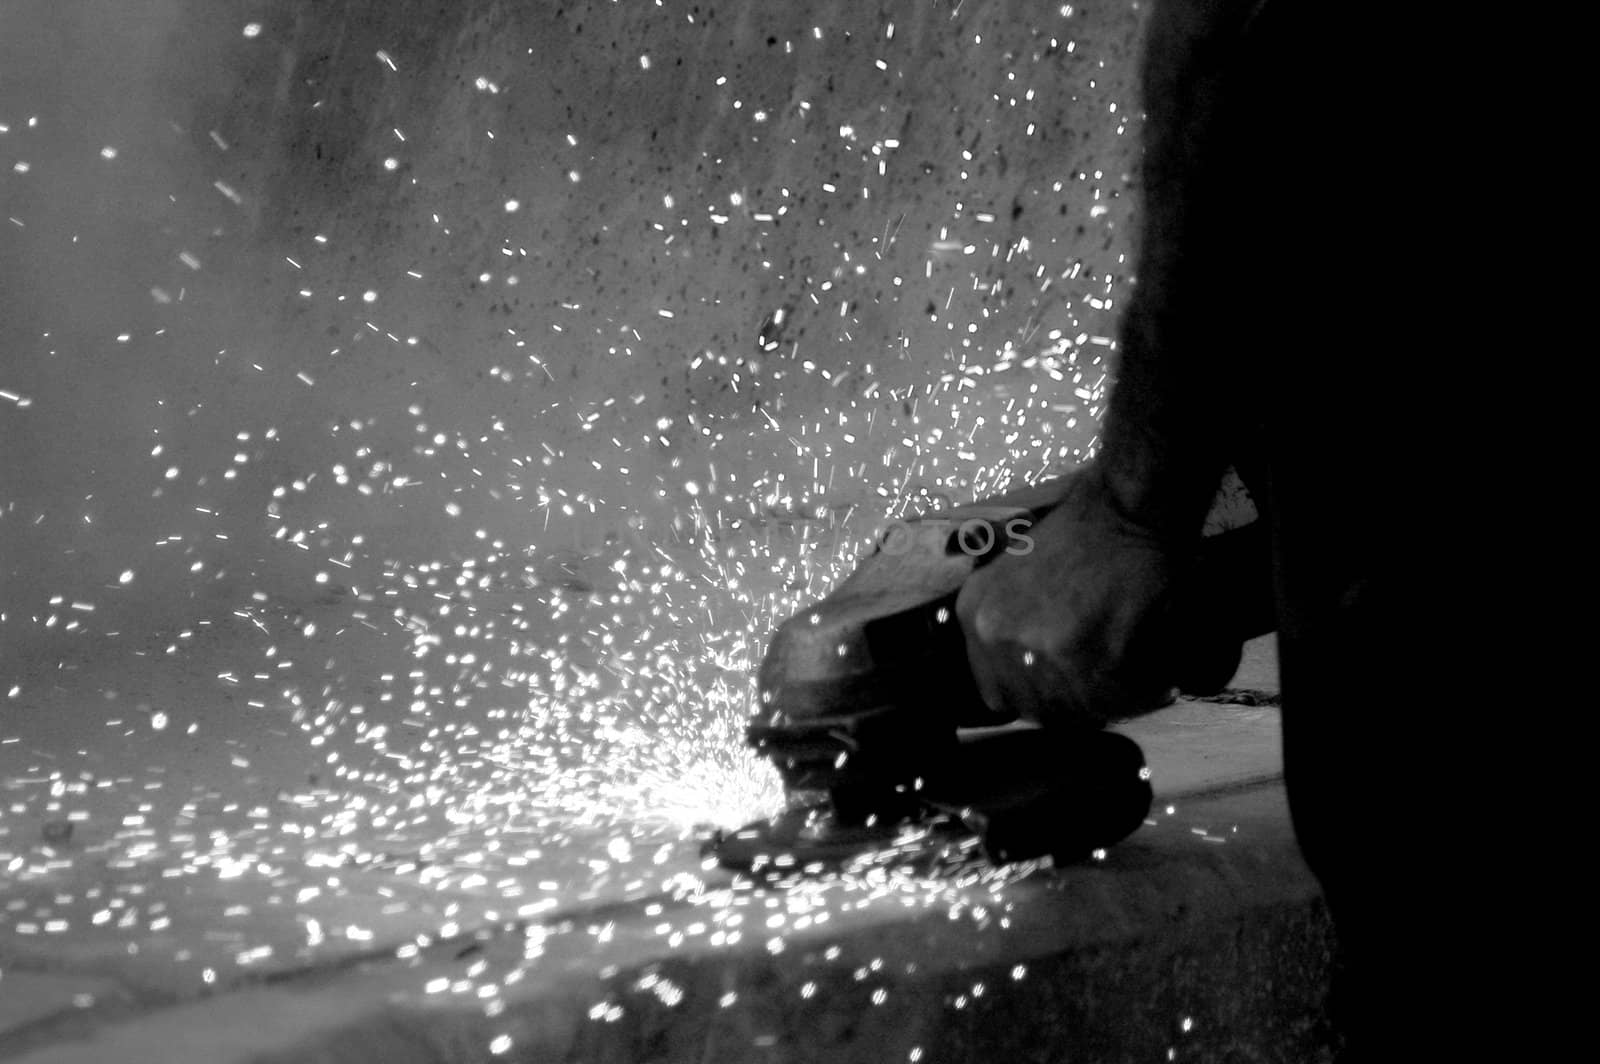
1202, 937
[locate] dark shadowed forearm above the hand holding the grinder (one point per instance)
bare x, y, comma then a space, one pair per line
1180, 404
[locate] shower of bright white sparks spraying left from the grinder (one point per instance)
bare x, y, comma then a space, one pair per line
542, 706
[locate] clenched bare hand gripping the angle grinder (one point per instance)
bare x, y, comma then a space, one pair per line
1076, 631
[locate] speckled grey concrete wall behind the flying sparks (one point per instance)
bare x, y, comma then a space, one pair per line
652, 263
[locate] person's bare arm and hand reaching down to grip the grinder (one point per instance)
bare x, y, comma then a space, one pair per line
1086, 628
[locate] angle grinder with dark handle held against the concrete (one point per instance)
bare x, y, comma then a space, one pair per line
871, 716
